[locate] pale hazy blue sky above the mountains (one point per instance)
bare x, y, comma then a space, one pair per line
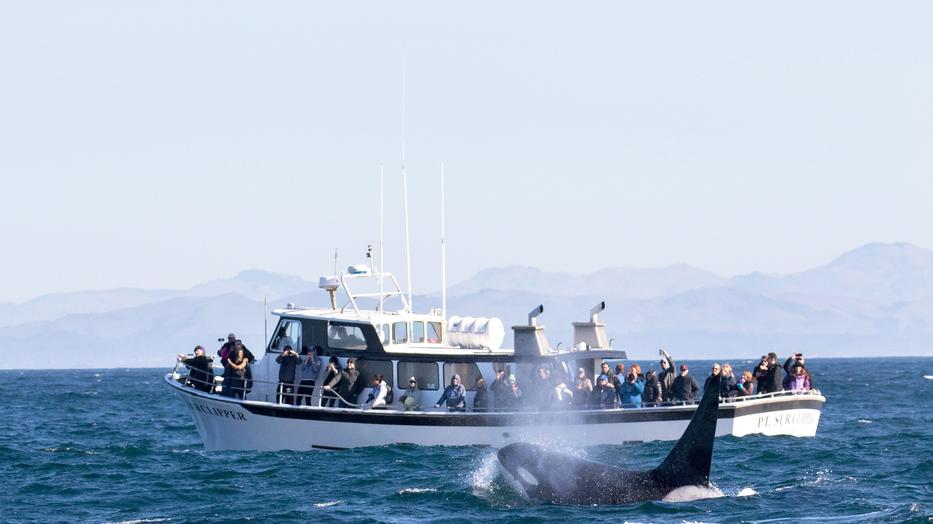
162, 144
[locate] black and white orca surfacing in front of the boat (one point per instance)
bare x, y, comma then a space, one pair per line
540, 475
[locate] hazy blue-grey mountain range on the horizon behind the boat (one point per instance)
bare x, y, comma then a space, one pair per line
874, 300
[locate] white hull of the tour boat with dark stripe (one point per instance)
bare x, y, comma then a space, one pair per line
228, 423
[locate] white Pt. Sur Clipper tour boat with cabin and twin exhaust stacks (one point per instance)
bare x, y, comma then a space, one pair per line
399, 343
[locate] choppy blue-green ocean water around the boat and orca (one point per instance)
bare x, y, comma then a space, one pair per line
117, 446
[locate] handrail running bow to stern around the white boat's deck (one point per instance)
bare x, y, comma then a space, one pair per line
217, 386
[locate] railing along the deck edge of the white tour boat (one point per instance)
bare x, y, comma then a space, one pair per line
215, 384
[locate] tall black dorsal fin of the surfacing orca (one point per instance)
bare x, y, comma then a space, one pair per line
689, 462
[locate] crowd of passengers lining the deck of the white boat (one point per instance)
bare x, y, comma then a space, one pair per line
610, 388
